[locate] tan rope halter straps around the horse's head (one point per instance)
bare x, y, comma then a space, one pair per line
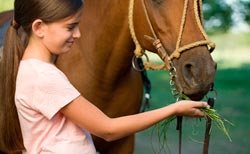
139, 52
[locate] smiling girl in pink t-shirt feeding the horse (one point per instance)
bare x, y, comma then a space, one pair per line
41, 111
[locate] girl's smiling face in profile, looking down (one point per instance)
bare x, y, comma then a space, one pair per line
59, 36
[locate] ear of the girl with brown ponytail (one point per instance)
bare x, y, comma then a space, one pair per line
38, 28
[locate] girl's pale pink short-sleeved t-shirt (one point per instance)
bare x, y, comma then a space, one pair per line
41, 91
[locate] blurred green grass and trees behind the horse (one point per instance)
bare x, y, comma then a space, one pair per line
227, 23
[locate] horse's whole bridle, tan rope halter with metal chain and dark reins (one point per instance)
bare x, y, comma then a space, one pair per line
139, 52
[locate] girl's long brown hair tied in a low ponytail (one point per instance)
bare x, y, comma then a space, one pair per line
25, 12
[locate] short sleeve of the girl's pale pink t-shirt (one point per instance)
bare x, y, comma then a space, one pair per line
53, 92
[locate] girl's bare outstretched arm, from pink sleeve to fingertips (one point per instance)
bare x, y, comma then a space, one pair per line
89, 117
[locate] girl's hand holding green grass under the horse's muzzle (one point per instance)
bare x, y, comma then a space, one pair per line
190, 108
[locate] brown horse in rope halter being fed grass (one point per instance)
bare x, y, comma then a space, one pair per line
115, 34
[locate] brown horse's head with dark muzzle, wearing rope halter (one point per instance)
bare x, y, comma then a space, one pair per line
174, 30
